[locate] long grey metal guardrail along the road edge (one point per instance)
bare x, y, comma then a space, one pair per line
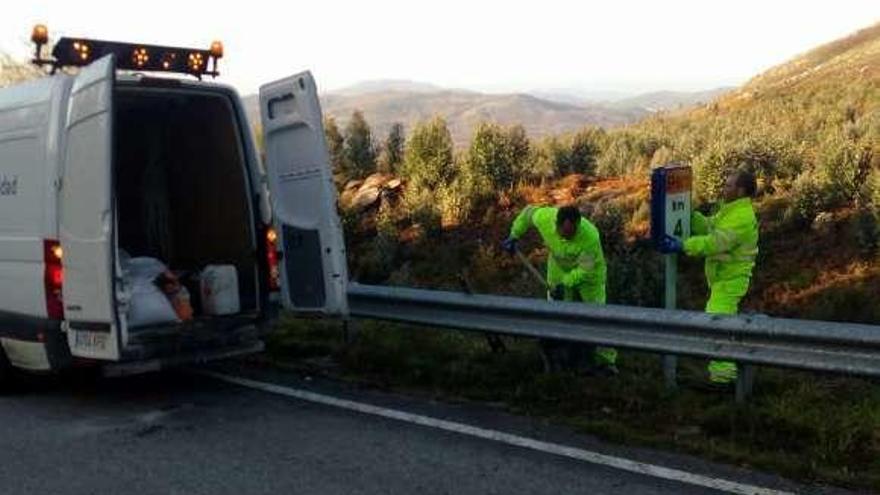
804, 344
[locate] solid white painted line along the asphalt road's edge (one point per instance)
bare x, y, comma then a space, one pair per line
507, 438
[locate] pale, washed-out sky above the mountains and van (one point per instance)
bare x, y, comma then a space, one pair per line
625, 45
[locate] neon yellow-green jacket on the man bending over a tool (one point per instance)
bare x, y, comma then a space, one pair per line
577, 263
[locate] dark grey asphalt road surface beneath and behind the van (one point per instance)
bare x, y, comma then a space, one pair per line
182, 433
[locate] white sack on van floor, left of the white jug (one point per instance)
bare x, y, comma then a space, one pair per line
147, 304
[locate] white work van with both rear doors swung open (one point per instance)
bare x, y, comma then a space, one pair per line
95, 168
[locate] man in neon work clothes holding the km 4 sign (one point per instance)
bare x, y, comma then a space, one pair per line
729, 242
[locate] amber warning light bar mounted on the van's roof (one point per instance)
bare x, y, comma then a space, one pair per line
78, 52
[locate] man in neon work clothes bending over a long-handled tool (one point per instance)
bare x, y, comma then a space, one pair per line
575, 272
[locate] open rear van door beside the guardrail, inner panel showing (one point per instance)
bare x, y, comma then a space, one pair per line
313, 266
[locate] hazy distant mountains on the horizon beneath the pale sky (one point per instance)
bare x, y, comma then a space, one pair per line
385, 102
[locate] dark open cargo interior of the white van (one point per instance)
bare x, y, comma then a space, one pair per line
182, 197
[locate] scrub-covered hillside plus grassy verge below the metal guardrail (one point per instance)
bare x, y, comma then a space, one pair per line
809, 128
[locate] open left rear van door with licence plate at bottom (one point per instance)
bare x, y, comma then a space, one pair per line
86, 216
